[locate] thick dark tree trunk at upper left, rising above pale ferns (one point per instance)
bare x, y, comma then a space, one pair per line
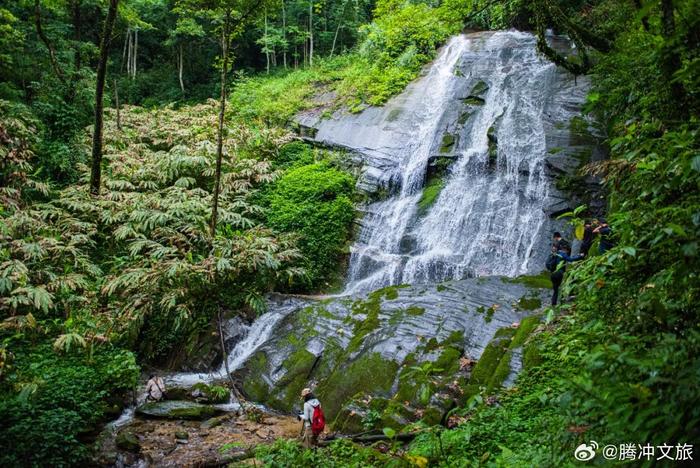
96, 172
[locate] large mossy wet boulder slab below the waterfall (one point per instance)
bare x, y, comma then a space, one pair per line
390, 345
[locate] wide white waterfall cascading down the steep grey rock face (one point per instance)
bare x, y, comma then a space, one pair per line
486, 220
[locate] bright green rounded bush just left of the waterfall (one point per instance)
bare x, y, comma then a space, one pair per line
315, 201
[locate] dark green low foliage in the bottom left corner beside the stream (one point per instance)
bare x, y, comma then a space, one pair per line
61, 400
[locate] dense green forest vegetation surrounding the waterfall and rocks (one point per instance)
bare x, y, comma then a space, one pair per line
154, 183
